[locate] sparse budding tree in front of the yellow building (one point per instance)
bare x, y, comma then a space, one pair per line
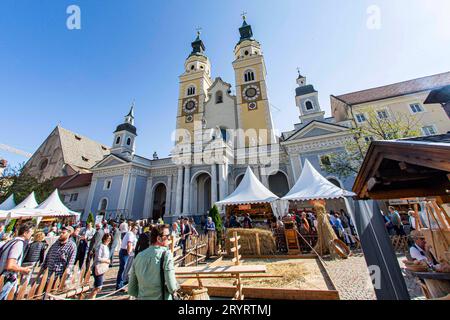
396, 125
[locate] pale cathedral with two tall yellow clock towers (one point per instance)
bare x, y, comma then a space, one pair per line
218, 135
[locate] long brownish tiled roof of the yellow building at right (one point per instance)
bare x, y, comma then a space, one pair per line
397, 89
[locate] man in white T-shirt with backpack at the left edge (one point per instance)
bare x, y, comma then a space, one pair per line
11, 256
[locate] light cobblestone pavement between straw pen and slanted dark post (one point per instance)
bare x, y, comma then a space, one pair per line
351, 277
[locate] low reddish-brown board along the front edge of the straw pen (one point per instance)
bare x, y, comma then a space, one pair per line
269, 293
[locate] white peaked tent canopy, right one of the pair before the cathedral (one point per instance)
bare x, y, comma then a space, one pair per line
312, 186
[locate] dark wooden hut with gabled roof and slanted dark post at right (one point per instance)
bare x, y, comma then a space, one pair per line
414, 167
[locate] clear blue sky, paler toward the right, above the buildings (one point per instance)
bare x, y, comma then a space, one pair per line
86, 79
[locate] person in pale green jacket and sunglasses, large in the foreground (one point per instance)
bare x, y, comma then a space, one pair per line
145, 274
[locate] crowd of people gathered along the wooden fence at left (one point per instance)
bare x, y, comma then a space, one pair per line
94, 247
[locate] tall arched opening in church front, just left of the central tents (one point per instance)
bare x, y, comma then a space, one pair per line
201, 196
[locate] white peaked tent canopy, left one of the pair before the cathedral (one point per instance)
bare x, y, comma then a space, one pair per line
249, 191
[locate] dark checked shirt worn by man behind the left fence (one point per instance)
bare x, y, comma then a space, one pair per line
59, 257
